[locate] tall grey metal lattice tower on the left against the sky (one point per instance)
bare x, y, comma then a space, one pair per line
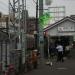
15, 8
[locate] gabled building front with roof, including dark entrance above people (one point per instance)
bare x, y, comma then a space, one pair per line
62, 31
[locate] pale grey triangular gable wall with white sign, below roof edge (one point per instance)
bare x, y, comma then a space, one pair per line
66, 28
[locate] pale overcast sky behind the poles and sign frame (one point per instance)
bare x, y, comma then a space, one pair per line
69, 4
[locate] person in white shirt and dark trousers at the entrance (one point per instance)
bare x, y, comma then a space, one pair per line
59, 52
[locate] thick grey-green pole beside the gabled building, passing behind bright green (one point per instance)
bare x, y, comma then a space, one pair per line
41, 36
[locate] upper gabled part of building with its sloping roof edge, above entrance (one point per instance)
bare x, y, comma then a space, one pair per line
63, 28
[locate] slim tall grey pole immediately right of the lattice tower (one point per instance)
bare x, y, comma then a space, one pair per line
24, 18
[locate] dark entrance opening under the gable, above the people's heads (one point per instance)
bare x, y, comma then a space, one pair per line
64, 40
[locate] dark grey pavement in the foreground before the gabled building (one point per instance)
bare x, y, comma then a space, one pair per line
58, 68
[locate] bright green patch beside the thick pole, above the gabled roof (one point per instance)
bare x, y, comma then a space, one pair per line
44, 19
